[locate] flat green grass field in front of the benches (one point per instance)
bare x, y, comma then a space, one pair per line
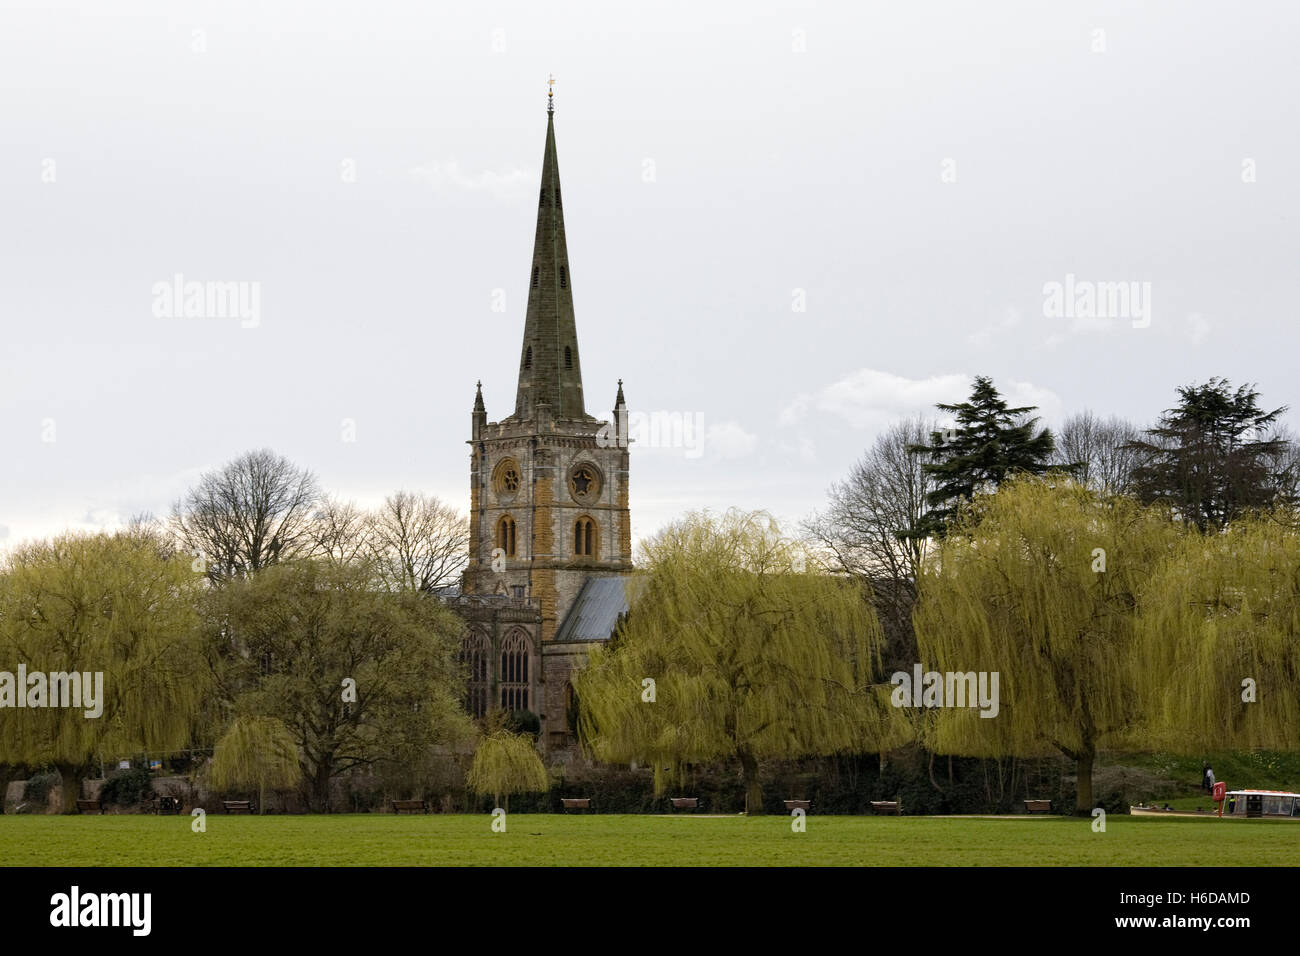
640, 841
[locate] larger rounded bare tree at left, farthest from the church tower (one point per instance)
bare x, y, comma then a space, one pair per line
248, 516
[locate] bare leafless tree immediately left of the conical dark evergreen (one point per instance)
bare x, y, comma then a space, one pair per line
869, 521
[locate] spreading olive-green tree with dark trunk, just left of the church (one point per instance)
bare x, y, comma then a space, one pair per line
358, 674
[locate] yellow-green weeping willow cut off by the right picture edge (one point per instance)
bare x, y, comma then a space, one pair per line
1221, 659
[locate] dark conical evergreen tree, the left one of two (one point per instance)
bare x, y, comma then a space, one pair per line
989, 444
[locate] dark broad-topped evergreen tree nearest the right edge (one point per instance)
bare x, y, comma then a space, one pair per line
1214, 457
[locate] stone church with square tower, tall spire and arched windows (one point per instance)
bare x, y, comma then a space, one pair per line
551, 548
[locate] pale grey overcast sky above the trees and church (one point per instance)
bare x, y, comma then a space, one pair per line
792, 223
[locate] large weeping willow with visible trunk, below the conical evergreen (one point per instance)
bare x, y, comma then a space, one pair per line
1041, 583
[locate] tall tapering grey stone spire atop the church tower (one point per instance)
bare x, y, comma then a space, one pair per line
549, 369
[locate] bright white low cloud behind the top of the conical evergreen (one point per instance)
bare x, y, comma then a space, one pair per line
870, 399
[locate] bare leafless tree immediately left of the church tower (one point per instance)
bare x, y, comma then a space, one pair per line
419, 543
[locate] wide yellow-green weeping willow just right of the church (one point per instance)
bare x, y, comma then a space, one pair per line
736, 648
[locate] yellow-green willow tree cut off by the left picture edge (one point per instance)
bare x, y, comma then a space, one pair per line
119, 615
